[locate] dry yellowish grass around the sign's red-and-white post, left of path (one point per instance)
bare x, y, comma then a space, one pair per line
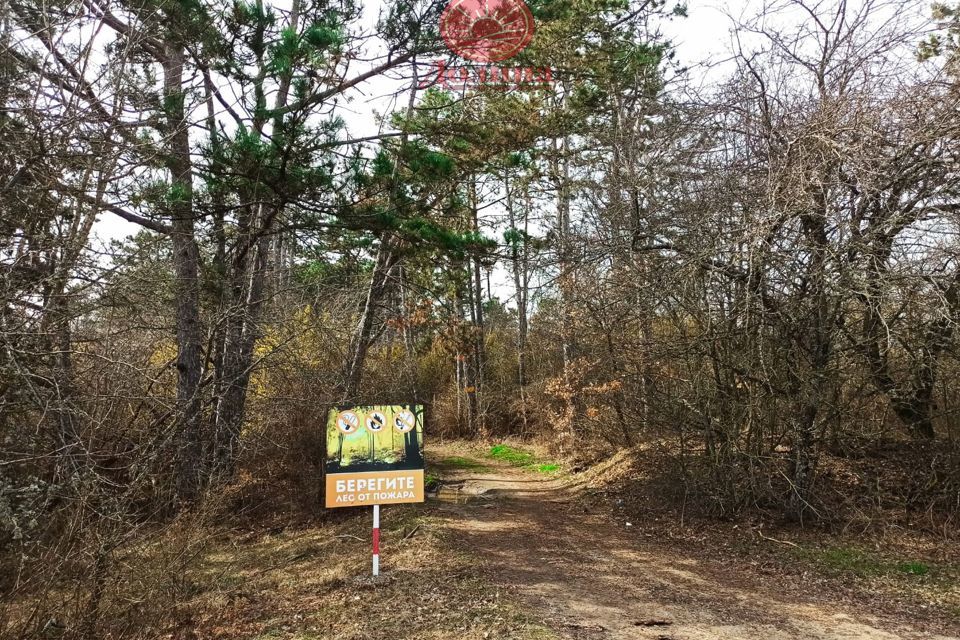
313, 583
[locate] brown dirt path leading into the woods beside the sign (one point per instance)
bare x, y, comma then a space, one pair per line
588, 577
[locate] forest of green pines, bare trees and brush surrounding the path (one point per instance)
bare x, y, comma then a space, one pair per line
219, 219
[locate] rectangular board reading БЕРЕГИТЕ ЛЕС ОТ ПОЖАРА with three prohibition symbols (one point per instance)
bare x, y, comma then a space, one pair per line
374, 455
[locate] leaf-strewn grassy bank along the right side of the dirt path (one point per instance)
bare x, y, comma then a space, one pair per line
874, 558
